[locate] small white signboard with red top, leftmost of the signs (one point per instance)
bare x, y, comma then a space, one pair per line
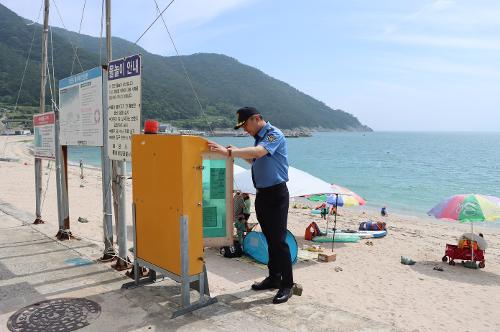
44, 128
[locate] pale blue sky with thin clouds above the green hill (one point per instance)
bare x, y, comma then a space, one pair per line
396, 65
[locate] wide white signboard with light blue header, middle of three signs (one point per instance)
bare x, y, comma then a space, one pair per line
80, 108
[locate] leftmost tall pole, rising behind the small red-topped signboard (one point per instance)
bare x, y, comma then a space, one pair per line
43, 81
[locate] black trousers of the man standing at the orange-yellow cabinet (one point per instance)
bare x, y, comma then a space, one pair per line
271, 208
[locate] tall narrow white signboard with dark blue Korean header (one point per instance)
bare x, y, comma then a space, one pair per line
124, 105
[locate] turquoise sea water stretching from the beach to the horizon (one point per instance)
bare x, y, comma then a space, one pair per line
409, 172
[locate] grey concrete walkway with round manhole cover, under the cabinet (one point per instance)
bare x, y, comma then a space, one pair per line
35, 267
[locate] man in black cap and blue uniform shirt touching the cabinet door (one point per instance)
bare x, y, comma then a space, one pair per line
269, 159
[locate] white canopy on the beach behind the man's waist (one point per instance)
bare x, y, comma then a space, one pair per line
299, 183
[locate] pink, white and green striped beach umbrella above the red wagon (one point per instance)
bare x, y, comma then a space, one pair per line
468, 208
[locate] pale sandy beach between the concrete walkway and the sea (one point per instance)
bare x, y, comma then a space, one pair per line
372, 283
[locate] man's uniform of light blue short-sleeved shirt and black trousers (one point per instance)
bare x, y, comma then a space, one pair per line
269, 175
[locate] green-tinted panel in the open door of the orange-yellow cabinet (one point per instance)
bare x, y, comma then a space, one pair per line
214, 198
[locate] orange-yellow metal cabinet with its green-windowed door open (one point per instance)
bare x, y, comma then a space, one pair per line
167, 180
